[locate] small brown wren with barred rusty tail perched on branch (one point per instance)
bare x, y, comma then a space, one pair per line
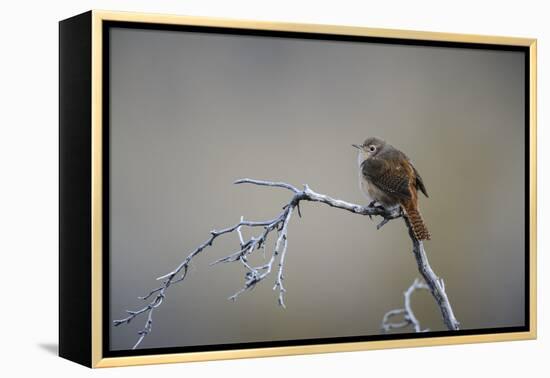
387, 176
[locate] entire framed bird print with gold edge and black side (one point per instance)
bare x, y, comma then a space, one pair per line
236, 189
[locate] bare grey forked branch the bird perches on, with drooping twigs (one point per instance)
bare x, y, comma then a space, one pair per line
279, 226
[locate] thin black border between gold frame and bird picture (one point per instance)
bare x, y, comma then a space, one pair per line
107, 323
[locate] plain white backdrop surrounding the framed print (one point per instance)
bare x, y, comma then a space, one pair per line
29, 189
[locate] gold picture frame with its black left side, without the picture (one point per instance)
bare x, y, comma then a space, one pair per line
81, 41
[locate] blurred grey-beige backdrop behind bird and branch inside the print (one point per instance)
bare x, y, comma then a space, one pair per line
190, 113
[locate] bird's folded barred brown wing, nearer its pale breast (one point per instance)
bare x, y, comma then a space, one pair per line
391, 176
